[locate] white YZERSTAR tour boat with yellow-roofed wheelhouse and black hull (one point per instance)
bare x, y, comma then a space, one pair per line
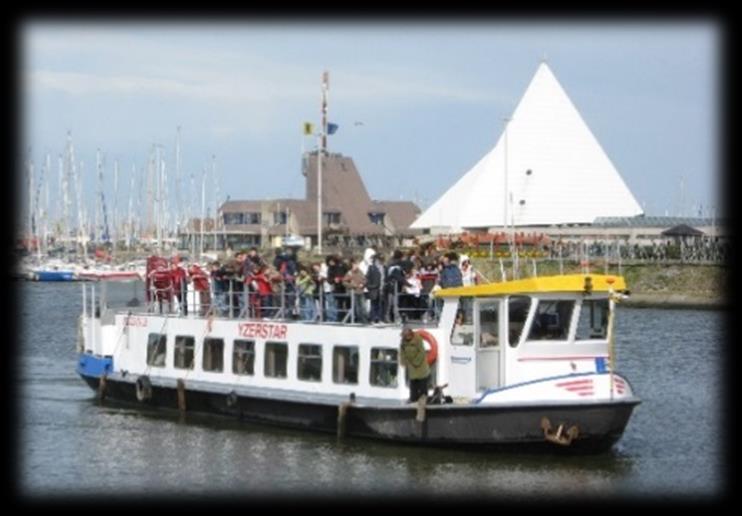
519, 363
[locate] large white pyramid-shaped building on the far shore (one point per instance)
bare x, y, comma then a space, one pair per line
556, 171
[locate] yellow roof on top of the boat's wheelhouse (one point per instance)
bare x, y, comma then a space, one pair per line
574, 283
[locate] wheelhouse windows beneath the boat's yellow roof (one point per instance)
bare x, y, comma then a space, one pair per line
550, 322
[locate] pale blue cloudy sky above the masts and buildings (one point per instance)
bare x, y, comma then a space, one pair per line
417, 104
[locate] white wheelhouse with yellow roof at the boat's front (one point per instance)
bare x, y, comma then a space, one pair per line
509, 333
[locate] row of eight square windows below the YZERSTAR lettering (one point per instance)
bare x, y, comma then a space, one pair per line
345, 359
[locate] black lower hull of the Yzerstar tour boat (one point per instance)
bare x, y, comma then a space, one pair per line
600, 424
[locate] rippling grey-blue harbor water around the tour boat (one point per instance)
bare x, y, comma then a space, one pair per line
69, 444
